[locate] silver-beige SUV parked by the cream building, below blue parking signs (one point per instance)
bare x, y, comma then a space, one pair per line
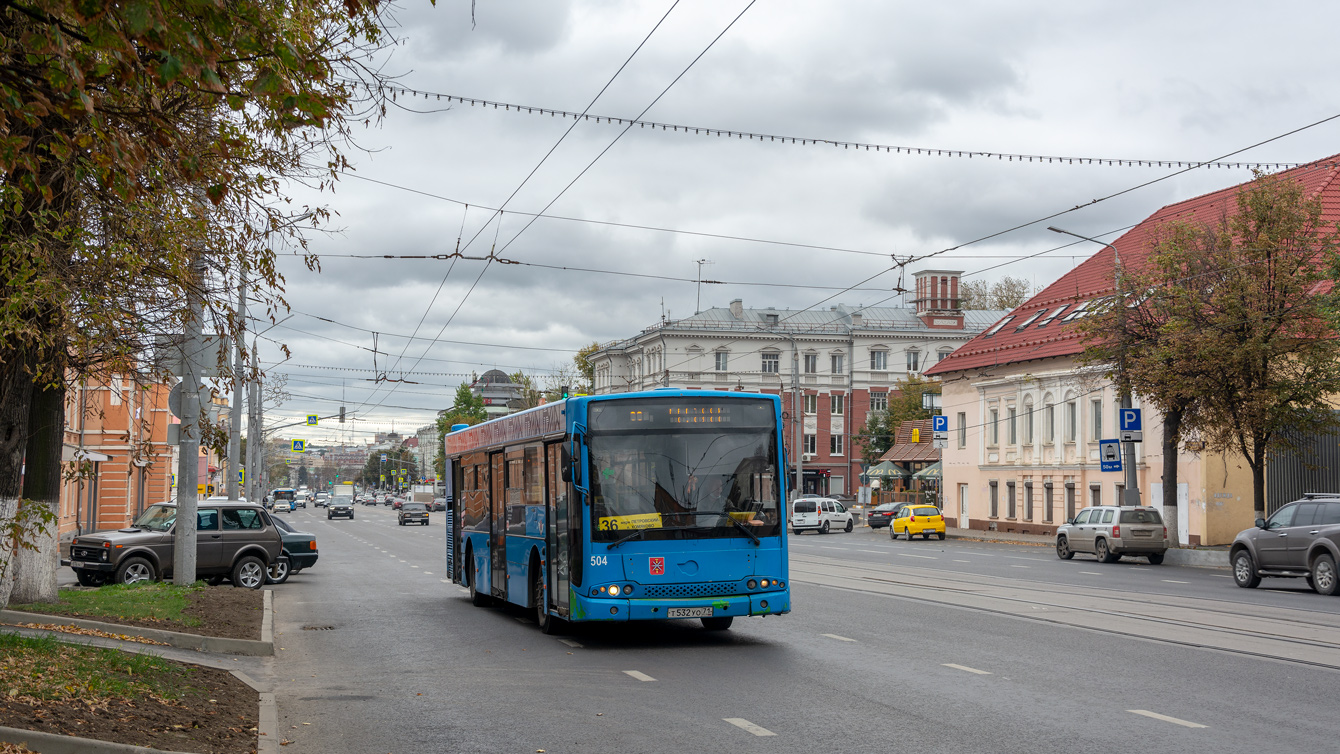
1112, 531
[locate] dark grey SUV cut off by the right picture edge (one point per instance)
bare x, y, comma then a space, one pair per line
1300, 540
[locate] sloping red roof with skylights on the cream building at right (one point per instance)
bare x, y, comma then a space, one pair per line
1028, 334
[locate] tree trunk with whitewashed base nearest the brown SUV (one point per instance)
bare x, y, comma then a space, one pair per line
36, 570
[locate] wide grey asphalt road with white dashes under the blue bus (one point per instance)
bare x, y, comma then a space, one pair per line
884, 653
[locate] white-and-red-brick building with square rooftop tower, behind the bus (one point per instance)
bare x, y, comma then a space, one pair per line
842, 362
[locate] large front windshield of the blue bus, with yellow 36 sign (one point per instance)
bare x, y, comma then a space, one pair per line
680, 480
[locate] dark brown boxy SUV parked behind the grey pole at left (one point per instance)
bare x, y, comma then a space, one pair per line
235, 540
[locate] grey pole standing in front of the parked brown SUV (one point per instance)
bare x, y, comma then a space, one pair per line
188, 464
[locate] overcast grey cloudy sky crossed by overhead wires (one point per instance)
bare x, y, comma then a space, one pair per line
1187, 81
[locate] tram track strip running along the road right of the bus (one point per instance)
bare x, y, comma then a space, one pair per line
1268, 633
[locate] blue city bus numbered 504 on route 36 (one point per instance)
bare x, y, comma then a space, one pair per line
649, 506
